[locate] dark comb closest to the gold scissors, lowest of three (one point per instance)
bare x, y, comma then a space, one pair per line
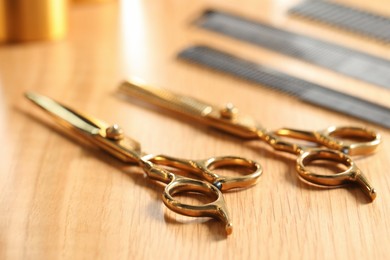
303, 90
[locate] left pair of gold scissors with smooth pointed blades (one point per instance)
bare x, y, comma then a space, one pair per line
111, 139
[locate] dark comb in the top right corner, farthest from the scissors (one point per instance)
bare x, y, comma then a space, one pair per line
347, 18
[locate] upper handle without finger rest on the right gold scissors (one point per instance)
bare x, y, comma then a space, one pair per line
347, 139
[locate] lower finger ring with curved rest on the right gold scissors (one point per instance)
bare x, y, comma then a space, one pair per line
351, 174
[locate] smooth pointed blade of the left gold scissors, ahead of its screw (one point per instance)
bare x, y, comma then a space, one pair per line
65, 116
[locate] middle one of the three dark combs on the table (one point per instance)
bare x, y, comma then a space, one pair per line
350, 62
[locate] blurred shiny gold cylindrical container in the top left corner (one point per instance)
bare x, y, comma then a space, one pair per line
30, 20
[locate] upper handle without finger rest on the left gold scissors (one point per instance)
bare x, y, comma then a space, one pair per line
205, 169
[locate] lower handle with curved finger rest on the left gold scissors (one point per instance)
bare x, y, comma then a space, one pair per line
180, 185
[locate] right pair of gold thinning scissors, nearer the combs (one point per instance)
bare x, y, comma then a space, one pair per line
337, 140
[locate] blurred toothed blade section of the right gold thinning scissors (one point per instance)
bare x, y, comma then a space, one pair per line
240, 125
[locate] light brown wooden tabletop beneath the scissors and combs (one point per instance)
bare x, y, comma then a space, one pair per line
61, 200
